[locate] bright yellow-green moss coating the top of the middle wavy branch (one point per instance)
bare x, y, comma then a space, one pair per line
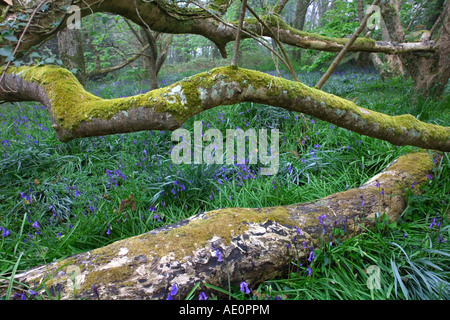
71, 104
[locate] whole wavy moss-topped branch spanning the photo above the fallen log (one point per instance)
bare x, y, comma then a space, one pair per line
76, 113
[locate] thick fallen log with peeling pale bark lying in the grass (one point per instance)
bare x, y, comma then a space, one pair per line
226, 245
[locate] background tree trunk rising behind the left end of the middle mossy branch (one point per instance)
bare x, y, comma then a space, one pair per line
71, 52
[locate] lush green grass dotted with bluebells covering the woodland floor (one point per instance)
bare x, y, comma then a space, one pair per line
74, 191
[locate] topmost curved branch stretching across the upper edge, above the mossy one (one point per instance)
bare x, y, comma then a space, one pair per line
165, 17
